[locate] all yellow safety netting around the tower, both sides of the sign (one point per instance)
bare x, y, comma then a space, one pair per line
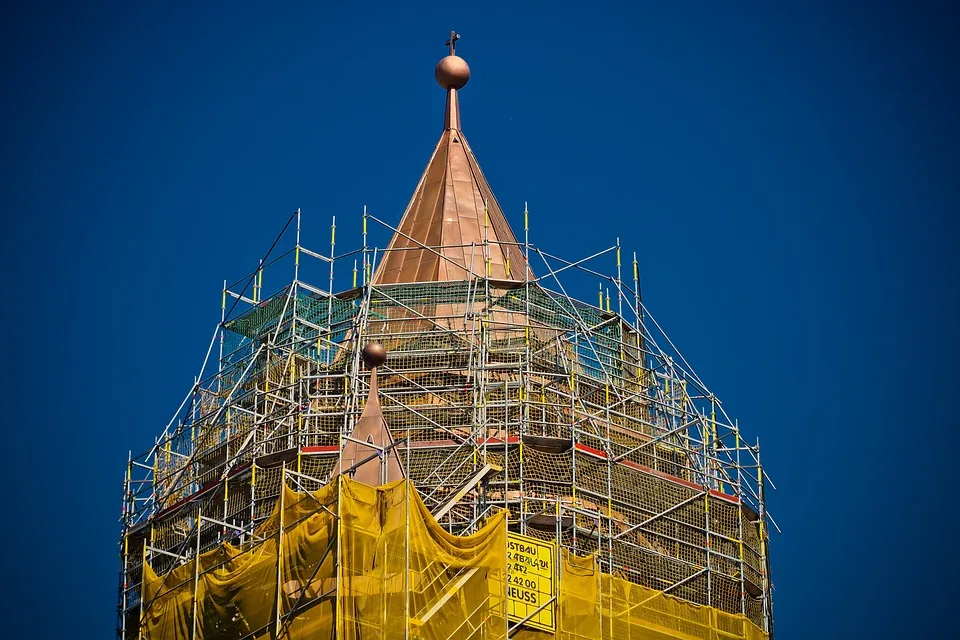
400, 574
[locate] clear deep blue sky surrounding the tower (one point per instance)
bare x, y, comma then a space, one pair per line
787, 173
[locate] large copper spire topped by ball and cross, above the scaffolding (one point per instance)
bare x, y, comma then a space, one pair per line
453, 226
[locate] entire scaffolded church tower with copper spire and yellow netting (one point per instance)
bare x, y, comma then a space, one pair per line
448, 446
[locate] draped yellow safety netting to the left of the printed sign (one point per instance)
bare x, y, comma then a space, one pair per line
453, 588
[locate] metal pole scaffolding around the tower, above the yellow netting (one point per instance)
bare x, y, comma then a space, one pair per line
581, 421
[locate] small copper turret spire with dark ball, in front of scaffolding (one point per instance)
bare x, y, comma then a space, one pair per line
369, 453
